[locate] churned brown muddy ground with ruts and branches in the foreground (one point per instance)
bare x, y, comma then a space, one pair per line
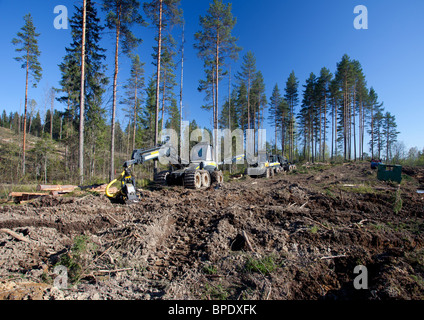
295, 236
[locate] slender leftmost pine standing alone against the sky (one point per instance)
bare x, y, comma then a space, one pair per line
28, 44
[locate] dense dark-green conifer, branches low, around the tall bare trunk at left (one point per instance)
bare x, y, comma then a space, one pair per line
95, 82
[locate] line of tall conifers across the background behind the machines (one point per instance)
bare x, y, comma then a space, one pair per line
333, 116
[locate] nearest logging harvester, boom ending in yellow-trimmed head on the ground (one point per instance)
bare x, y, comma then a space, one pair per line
201, 172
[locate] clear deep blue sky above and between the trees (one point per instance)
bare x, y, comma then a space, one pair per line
285, 35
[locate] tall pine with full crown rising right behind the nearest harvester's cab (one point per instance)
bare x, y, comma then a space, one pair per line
215, 43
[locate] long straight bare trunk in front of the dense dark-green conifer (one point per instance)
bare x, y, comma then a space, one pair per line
82, 96
